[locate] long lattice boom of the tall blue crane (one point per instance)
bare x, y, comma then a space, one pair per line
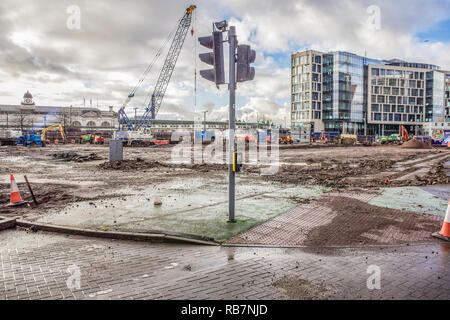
164, 76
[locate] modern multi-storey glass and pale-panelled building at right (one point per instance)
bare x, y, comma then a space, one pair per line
347, 93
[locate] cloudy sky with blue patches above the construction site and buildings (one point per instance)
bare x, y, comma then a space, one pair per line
104, 58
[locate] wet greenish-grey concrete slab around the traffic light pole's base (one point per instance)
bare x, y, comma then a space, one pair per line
194, 206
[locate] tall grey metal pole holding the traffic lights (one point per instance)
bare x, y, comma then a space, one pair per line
232, 125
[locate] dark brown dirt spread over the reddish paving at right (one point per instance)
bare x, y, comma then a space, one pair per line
357, 222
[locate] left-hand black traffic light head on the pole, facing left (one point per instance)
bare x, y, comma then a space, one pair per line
214, 58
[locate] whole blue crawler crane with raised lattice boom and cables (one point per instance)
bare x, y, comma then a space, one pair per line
138, 132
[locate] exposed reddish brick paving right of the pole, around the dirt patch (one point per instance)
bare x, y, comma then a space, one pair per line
292, 228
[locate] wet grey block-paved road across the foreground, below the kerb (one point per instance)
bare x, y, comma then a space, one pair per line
34, 266
